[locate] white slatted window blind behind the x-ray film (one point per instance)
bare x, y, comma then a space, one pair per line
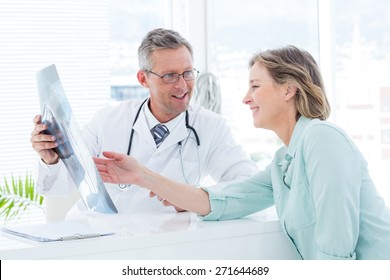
72, 34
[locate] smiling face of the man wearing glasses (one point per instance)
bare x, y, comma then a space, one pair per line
168, 100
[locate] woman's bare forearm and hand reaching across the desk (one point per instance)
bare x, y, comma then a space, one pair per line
121, 169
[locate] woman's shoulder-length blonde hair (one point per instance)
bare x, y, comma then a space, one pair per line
292, 65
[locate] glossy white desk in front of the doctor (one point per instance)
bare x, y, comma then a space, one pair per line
166, 235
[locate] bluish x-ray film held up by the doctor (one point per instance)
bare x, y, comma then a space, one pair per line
72, 150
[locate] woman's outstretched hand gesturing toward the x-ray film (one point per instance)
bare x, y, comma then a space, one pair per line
118, 168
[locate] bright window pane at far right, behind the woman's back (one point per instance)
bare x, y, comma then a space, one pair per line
360, 67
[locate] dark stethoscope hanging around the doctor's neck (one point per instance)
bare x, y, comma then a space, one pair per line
188, 126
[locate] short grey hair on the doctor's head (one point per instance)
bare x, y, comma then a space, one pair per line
159, 38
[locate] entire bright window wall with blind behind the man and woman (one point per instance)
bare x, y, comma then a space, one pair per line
94, 46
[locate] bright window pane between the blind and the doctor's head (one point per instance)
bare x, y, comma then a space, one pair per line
129, 23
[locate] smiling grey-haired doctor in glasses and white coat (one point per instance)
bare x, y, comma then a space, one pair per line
182, 142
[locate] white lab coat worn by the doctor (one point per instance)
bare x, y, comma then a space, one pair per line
219, 156
